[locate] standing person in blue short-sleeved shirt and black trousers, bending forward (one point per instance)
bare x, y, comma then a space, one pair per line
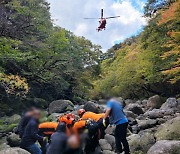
117, 117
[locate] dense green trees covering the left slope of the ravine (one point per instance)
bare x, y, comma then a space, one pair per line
39, 60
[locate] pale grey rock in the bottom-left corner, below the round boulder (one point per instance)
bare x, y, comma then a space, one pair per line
14, 151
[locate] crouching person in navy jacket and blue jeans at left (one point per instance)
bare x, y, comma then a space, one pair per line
30, 135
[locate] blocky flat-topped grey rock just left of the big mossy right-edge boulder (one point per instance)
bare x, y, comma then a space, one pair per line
144, 124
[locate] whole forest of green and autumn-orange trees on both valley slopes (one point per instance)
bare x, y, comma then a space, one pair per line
41, 62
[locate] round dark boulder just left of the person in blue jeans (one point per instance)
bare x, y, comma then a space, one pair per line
13, 140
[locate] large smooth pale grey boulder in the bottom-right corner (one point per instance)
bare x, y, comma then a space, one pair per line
165, 147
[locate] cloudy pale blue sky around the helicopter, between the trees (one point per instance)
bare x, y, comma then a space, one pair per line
70, 15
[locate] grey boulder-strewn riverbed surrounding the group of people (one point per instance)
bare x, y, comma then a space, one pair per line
154, 126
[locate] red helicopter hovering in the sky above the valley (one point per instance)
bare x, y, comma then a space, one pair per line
102, 21
